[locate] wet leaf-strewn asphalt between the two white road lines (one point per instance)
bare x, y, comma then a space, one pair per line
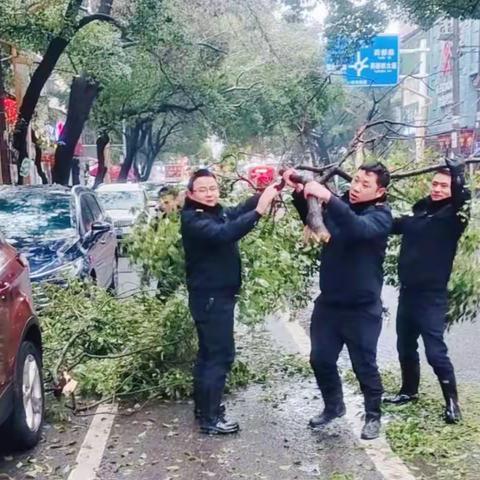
163, 443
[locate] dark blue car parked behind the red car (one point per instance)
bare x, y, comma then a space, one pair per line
62, 232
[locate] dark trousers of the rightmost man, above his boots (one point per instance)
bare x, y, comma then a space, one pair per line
422, 313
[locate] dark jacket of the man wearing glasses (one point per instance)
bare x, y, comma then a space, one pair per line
209, 236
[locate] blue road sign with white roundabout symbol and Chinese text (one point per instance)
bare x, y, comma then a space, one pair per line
375, 65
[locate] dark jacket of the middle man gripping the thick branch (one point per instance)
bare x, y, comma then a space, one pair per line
351, 263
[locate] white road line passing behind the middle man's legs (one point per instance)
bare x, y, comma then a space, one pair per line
292, 337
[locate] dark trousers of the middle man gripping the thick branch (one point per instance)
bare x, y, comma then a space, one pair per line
358, 328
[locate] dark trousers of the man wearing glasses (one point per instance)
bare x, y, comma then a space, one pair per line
213, 317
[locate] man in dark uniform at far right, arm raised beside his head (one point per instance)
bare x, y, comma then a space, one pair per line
429, 244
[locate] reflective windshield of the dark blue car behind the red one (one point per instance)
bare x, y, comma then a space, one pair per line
35, 213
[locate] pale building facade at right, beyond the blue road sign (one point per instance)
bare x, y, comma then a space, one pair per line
443, 109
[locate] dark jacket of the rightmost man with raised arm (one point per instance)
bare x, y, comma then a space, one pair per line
430, 238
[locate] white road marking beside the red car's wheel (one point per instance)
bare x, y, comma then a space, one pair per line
91, 452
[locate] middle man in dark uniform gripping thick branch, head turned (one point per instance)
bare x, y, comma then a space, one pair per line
349, 309
